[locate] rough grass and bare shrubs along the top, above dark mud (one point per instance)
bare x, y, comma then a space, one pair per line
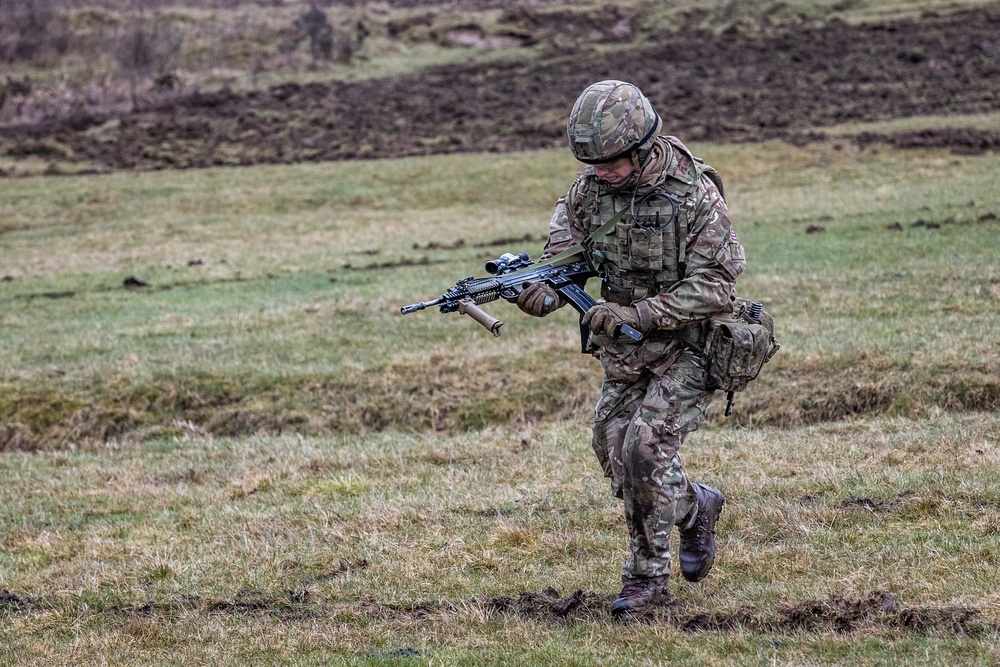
69, 45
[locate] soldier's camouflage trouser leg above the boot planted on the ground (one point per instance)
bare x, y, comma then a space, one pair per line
657, 493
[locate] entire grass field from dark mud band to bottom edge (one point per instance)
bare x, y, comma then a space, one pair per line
253, 458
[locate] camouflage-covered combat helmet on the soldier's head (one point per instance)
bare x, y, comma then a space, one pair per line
611, 120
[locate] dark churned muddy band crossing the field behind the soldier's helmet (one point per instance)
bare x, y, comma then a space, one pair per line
749, 82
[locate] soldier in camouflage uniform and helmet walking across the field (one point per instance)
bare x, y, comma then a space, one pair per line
667, 265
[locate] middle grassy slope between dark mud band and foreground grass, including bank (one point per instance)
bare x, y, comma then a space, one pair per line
262, 296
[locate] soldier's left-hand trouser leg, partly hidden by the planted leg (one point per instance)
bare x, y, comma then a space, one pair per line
619, 402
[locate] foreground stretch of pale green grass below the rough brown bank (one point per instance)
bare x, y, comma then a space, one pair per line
333, 546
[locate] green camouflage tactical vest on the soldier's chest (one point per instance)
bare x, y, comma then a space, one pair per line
644, 254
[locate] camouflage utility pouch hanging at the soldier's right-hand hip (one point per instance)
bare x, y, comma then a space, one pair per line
737, 346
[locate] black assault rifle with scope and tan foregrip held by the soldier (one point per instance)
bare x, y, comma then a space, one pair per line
566, 273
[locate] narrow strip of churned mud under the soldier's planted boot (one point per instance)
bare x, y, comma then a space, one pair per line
880, 610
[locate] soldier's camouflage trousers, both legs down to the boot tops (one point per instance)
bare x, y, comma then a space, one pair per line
640, 424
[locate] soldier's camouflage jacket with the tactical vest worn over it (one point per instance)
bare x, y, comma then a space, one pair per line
674, 256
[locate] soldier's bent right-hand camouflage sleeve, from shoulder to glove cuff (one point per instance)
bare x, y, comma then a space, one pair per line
714, 259
